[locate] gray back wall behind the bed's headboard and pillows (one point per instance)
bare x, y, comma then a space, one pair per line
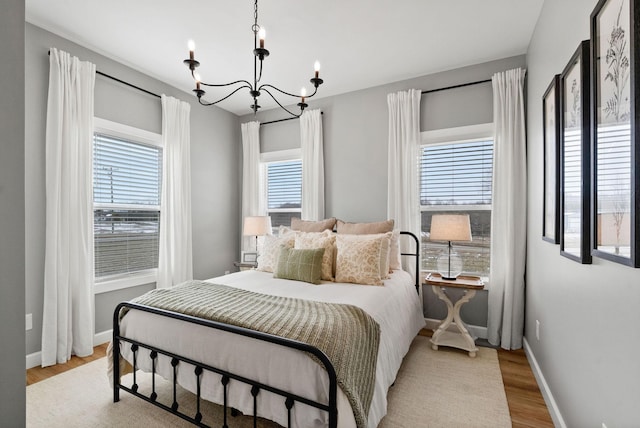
355, 127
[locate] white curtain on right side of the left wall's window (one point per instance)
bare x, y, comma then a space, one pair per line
175, 258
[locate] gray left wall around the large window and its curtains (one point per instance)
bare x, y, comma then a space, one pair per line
215, 156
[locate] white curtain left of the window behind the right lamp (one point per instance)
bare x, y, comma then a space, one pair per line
403, 203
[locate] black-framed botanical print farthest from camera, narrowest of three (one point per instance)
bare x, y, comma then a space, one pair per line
551, 155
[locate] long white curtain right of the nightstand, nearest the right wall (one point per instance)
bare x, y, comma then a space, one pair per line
508, 217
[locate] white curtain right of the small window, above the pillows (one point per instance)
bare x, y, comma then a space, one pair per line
312, 165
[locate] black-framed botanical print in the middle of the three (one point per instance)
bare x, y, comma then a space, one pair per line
575, 164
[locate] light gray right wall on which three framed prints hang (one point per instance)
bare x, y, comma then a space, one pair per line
588, 348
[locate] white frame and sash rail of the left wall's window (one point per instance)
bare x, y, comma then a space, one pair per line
136, 135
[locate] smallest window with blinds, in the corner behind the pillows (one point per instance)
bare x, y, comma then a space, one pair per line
283, 184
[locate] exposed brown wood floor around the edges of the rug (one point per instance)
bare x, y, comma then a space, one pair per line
526, 404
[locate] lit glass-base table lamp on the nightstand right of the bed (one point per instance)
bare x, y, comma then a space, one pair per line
450, 227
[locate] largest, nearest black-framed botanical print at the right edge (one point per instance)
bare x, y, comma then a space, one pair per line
616, 143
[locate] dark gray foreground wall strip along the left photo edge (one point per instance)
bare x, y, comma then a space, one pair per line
12, 261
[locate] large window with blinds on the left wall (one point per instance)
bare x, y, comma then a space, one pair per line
127, 178
